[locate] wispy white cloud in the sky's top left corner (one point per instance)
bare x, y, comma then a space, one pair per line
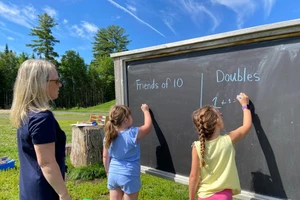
22, 15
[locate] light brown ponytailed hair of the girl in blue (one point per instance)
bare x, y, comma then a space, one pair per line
117, 115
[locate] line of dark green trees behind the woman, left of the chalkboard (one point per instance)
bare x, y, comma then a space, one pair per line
83, 84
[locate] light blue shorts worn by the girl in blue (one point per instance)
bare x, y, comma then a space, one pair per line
128, 184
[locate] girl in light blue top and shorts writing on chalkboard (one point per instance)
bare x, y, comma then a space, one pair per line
121, 152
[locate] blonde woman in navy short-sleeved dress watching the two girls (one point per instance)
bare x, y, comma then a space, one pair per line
41, 142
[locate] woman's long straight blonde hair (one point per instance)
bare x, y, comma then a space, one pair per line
31, 90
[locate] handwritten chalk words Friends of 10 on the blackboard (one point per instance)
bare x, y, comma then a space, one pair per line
153, 84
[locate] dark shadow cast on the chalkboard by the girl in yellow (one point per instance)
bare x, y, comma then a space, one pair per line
270, 185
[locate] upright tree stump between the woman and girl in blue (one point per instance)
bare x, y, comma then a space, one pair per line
87, 145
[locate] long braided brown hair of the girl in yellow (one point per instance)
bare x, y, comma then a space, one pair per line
205, 120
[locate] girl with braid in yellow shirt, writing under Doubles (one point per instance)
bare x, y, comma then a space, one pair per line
213, 173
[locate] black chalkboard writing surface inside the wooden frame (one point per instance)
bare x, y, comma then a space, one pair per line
268, 159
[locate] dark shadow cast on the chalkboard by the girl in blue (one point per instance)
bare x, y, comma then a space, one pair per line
163, 155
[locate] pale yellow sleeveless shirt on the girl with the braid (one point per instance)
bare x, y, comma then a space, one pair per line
220, 171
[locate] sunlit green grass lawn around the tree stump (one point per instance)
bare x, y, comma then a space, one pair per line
154, 188
